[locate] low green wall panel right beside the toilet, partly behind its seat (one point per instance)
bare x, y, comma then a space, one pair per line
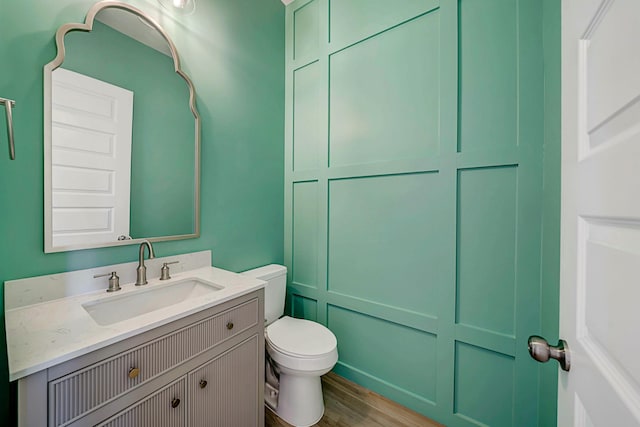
399, 355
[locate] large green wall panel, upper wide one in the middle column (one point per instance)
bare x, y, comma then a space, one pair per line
384, 96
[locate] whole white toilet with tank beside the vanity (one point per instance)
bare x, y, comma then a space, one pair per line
298, 353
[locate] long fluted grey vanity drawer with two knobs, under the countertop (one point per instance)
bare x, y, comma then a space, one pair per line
82, 391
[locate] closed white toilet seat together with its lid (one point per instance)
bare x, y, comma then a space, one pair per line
301, 344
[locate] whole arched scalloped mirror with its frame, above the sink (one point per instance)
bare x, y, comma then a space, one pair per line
122, 134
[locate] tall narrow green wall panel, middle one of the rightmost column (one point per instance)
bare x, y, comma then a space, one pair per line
487, 248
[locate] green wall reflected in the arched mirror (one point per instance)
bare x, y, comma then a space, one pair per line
162, 160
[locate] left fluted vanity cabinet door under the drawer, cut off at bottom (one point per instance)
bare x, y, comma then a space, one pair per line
164, 408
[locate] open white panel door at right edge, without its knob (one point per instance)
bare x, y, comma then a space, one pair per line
600, 249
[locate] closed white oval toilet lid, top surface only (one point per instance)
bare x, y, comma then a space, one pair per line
301, 337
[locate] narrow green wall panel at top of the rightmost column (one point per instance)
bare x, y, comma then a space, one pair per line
488, 74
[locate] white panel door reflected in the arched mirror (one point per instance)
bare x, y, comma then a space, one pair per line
91, 159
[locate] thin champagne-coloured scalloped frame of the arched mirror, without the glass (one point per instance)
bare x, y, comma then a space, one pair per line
87, 26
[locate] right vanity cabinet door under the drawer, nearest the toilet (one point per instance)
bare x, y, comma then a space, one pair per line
224, 392
